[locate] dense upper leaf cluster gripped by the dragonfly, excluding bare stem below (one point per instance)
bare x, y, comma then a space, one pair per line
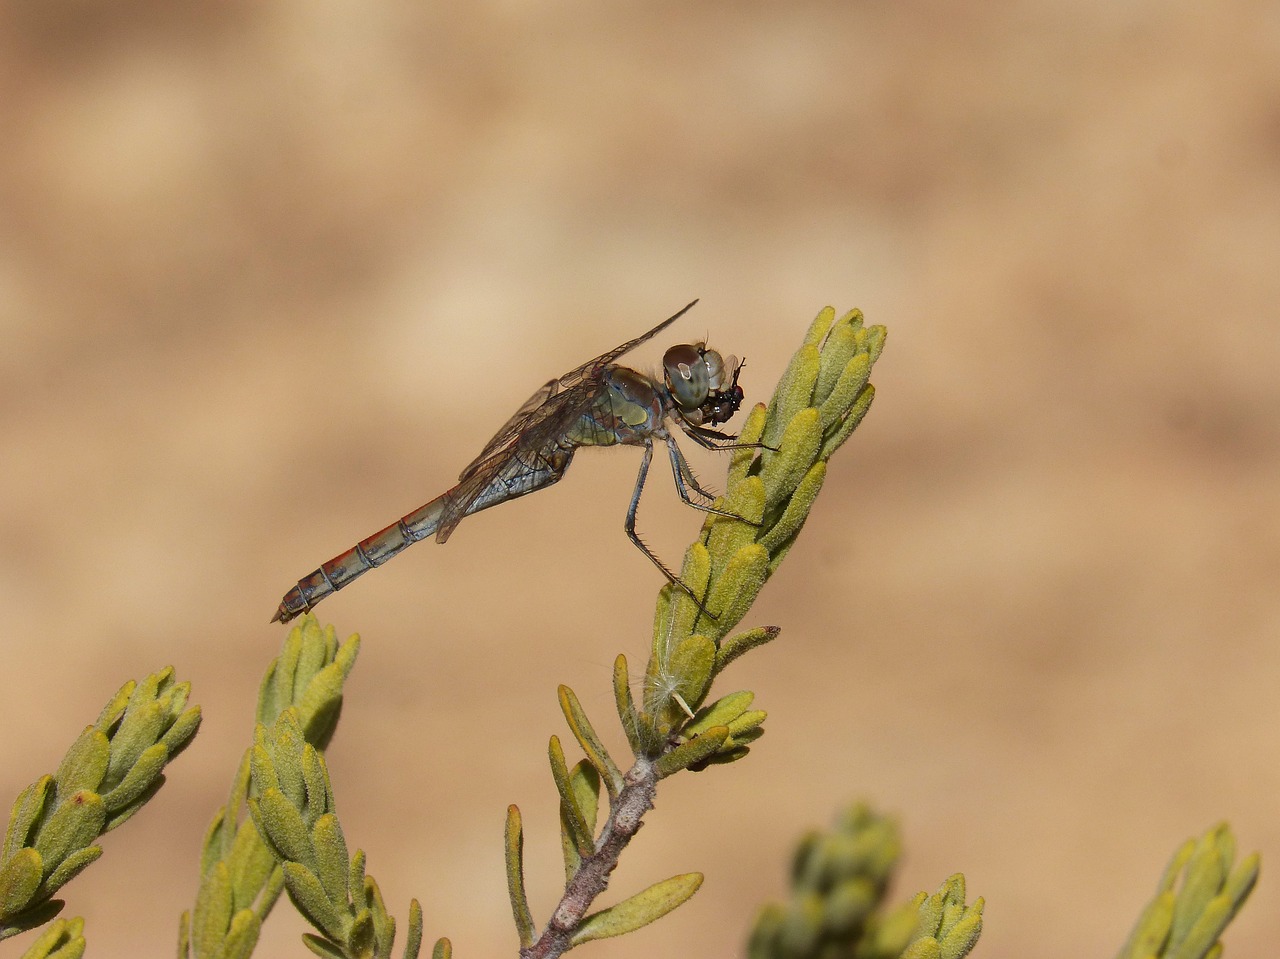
774, 478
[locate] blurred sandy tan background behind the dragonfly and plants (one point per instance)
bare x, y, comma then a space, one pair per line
272, 273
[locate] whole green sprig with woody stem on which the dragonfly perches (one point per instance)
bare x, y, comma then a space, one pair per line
778, 471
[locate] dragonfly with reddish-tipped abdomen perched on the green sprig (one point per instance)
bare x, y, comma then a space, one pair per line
600, 404
